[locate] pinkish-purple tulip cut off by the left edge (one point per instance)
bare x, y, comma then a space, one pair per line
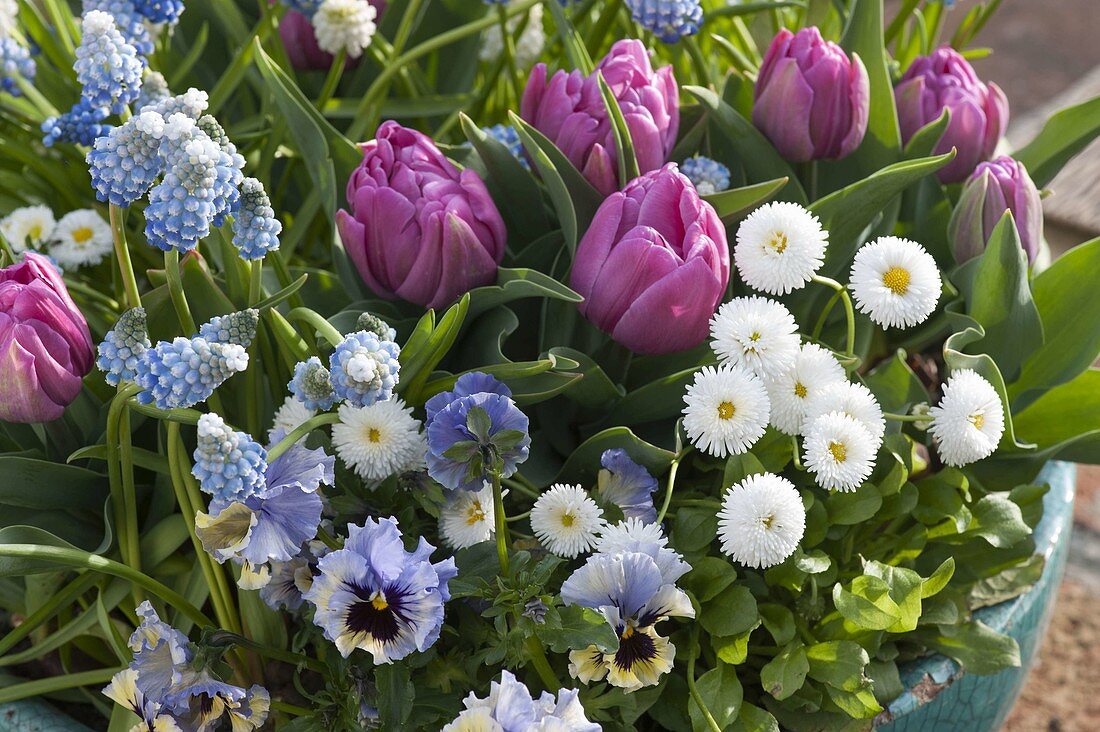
45, 343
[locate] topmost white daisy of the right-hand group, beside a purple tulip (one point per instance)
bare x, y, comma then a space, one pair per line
780, 247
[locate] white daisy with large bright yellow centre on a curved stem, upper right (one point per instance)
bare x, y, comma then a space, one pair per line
896, 282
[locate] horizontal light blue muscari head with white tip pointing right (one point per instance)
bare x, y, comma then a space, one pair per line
185, 372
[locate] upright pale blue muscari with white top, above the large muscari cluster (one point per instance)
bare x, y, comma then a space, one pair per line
108, 69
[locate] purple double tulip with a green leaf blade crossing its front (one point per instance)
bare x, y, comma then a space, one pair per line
570, 111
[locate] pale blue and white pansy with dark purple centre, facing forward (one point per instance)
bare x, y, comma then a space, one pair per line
376, 596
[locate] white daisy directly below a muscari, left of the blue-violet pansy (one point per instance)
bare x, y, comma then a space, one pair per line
379, 441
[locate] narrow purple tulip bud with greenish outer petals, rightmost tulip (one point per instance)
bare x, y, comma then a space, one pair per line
995, 188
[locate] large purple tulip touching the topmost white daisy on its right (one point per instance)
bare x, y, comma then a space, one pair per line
654, 265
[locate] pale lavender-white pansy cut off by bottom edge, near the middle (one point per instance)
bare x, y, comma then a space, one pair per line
511, 708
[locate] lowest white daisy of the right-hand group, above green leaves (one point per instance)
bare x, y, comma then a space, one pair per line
762, 521
